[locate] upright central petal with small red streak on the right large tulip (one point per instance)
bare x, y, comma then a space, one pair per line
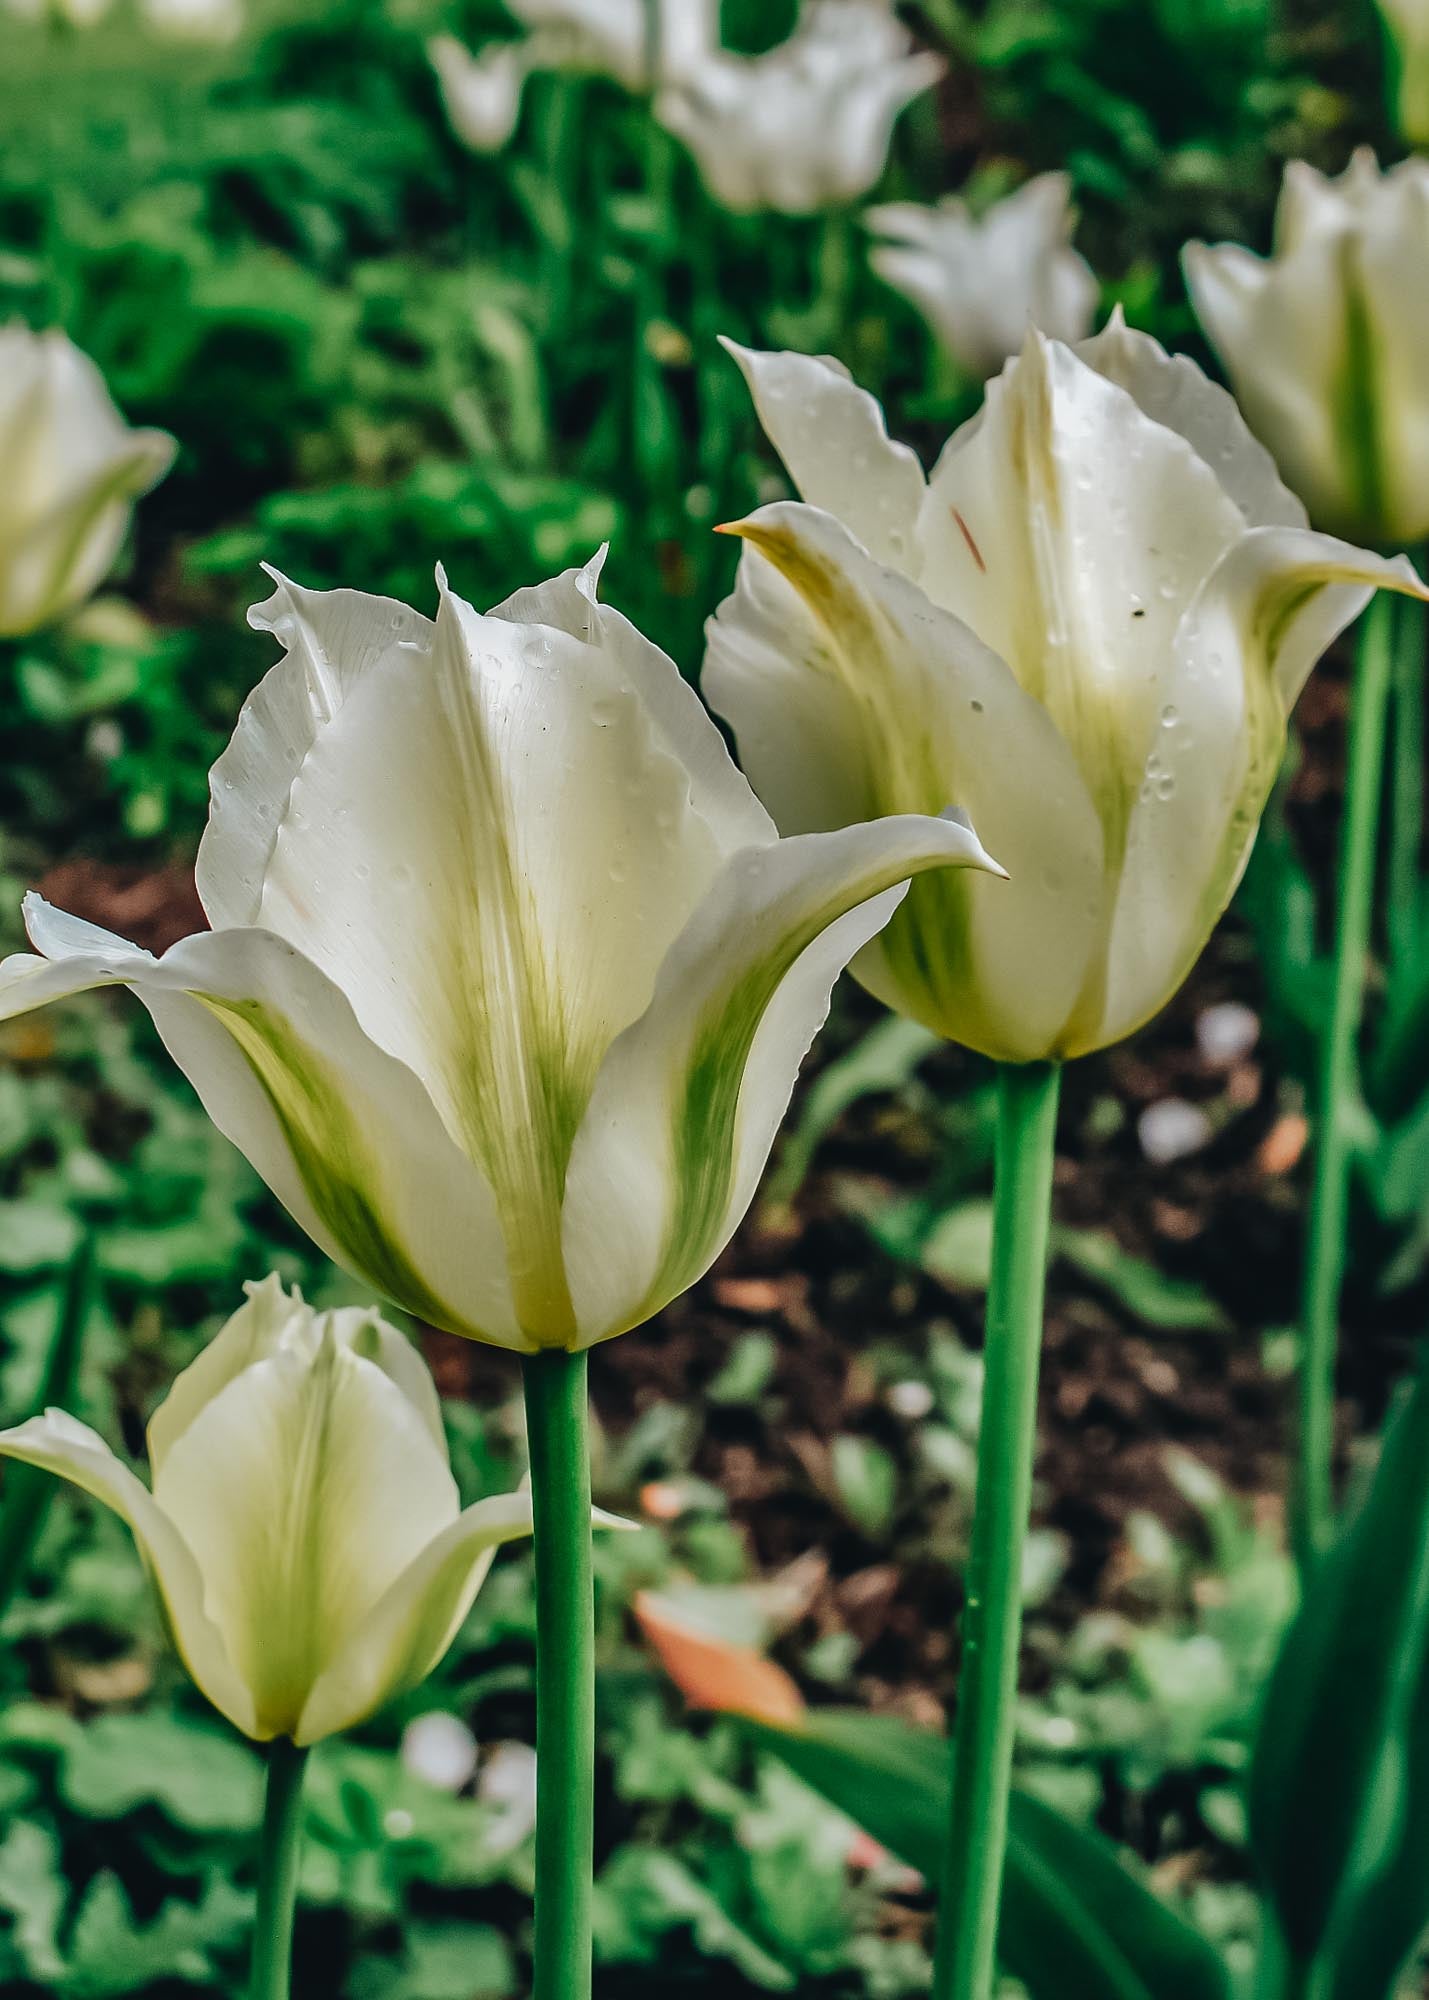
1072, 533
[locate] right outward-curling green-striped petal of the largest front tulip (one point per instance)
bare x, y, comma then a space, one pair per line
689, 1099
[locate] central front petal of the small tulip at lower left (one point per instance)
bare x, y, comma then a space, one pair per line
305, 1487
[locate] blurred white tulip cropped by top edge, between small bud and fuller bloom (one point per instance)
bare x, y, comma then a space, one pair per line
613, 37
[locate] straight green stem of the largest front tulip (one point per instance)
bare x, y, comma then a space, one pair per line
559, 1443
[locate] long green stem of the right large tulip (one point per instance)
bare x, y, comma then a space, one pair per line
994, 1613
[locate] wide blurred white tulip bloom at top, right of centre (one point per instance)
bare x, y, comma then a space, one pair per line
808, 125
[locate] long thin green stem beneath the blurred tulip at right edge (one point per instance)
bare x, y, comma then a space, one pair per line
1314, 1511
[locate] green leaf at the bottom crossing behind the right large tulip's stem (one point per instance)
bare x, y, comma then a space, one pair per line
1078, 1921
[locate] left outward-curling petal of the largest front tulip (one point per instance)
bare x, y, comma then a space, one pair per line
343, 1133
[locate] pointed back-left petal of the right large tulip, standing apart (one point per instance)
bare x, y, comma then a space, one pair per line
836, 447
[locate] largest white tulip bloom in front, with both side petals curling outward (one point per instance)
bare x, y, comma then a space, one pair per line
509, 973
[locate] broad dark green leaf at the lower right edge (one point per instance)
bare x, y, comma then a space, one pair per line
1336, 1805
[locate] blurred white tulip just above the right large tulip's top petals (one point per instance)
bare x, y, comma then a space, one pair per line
982, 283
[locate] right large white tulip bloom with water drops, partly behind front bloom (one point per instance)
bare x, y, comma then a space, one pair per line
1088, 627
